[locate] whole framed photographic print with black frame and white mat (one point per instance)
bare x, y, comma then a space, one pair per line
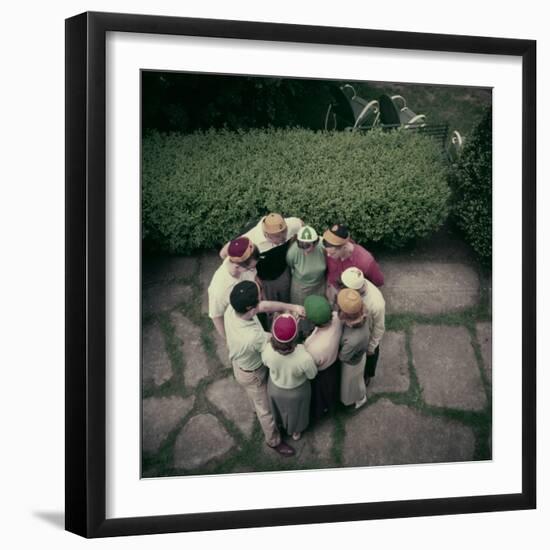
300, 274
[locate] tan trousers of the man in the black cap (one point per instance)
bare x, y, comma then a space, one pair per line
255, 385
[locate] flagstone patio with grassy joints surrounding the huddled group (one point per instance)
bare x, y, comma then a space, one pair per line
430, 400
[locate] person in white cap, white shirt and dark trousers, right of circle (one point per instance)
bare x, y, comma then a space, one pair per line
376, 314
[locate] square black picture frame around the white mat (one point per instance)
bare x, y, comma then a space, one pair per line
86, 274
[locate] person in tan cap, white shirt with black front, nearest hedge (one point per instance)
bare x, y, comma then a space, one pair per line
272, 235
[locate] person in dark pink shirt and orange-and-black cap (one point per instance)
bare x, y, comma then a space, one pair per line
342, 252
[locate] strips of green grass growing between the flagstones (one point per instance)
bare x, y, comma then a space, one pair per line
249, 455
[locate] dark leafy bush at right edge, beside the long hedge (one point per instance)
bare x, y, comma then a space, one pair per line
471, 181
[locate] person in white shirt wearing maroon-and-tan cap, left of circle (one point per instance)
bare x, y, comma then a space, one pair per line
239, 265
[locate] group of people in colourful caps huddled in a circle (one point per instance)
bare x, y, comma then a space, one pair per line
302, 317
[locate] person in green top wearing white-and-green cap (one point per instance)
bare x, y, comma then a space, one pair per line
306, 259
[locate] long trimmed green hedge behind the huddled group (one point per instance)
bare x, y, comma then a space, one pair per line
199, 190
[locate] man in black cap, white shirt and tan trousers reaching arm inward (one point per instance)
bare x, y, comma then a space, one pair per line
246, 341
